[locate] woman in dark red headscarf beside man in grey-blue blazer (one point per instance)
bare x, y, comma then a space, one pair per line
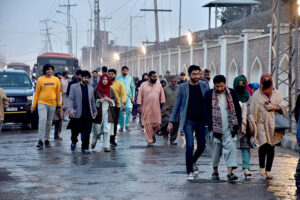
105, 99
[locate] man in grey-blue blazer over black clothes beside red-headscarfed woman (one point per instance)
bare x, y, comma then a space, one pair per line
82, 110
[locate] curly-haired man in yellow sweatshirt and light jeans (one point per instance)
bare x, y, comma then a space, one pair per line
47, 96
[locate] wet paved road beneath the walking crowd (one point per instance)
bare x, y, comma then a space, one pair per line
131, 172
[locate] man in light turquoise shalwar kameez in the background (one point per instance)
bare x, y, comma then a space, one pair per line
129, 87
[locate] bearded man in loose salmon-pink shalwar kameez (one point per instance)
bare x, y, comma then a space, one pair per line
151, 96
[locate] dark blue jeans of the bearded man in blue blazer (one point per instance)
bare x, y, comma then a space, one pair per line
189, 129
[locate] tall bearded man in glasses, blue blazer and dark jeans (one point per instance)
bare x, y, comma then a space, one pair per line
190, 104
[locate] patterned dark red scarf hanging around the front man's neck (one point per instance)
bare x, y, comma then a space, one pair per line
216, 113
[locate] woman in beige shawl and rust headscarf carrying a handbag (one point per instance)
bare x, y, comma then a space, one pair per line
265, 102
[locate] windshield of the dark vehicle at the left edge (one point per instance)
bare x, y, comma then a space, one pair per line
14, 80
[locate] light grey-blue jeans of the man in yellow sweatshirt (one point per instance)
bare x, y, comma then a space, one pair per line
46, 114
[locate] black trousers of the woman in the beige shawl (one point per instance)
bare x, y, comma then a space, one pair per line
264, 151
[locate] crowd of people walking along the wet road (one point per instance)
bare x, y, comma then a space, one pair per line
201, 108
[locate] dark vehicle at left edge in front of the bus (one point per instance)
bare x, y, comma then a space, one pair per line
19, 90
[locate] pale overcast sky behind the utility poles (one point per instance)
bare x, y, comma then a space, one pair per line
20, 26
